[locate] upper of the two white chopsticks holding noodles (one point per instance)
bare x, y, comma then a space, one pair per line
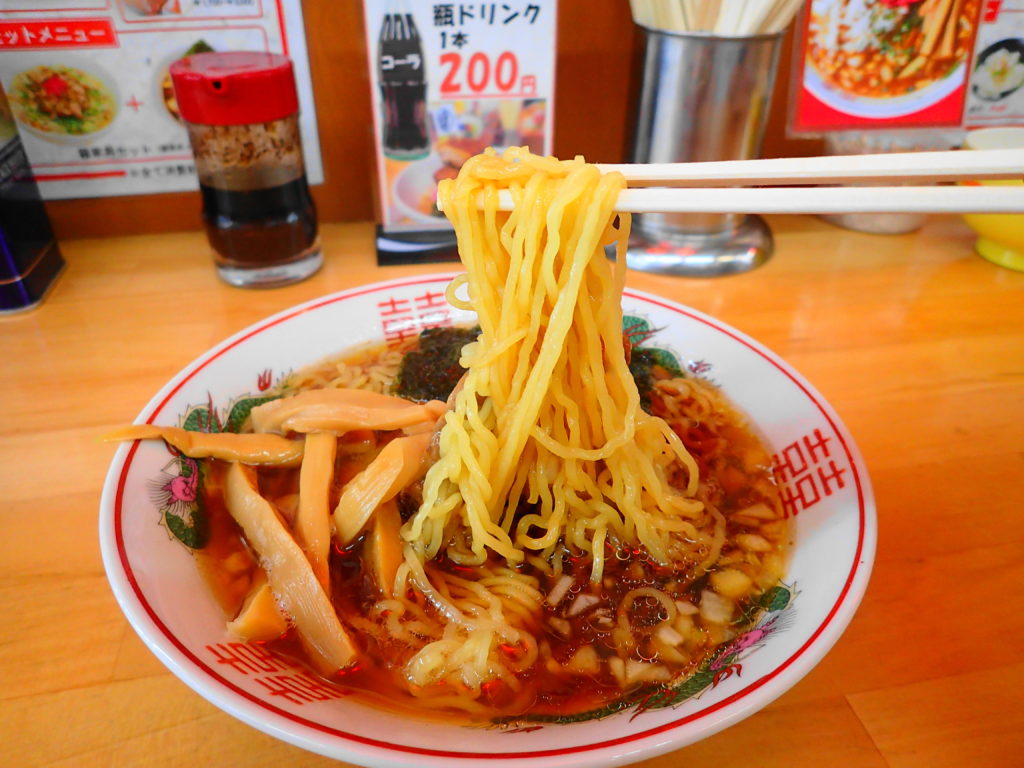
905, 167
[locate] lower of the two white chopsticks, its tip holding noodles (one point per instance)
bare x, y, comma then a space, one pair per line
975, 199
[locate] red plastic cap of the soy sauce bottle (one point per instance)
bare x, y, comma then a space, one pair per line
235, 88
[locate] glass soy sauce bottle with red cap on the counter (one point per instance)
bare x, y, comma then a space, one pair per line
241, 110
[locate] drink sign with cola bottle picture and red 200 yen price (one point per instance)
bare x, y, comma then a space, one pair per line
450, 80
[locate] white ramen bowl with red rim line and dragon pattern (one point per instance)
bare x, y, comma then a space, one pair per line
145, 535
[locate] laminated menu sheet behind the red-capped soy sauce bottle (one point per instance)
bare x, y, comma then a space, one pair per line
90, 87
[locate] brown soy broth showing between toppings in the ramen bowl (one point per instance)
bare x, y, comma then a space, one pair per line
736, 475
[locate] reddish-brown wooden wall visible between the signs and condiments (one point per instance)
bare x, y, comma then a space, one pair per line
600, 57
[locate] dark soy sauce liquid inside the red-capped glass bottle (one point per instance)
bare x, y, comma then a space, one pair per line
251, 228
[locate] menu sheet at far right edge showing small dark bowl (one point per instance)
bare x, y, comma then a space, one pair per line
997, 95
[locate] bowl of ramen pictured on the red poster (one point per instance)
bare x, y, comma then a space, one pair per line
885, 59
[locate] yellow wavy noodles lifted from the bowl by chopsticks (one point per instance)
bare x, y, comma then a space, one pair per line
547, 444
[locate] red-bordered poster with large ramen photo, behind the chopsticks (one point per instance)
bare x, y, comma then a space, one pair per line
883, 64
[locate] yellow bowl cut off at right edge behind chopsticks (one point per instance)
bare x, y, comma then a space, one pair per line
1001, 237
